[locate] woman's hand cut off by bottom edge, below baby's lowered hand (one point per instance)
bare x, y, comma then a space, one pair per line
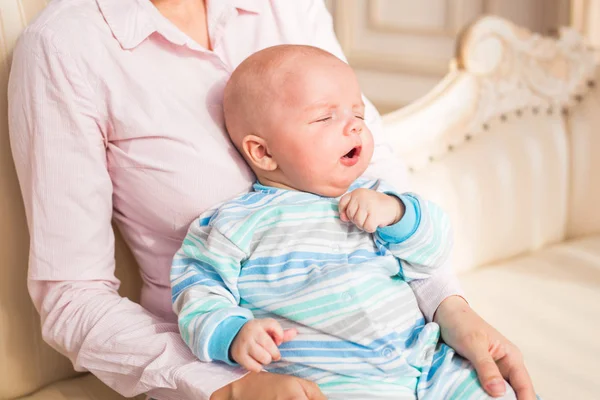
267, 386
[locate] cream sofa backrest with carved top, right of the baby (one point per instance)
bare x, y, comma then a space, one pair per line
506, 142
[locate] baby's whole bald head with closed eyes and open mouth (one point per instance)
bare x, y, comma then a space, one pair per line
297, 116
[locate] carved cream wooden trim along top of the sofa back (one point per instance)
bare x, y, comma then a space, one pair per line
500, 72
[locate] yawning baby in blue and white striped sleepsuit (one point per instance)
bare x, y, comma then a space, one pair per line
307, 274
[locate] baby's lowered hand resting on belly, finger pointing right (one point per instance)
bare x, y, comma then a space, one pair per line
256, 343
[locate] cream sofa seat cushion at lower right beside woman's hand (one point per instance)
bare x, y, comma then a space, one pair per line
548, 303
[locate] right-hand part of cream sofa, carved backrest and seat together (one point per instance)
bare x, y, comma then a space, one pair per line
509, 144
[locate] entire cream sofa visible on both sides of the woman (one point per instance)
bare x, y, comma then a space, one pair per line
491, 144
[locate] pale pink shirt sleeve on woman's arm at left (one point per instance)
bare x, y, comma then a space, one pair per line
59, 151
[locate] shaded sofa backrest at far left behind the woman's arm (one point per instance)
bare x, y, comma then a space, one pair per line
26, 362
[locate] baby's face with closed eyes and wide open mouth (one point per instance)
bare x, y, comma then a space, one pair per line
317, 132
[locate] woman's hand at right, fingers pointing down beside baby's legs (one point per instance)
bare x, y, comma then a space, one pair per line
492, 355
